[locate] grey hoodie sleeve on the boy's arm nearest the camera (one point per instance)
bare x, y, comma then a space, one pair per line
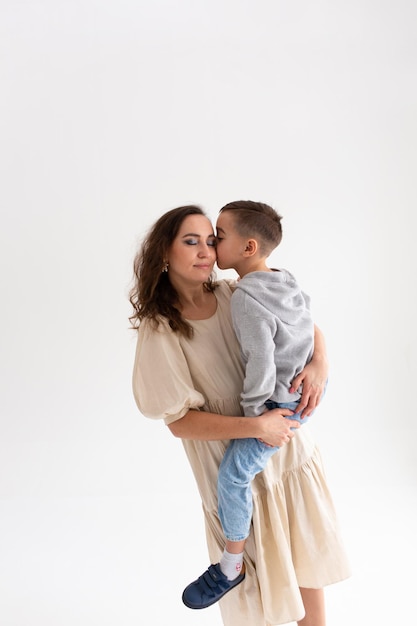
255, 329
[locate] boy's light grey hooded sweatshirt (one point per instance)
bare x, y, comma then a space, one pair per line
272, 321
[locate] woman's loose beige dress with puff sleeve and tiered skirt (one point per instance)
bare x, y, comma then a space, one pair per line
294, 540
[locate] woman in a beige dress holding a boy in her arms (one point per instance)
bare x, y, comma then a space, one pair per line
188, 372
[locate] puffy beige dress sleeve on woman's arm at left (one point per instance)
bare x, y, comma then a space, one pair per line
162, 384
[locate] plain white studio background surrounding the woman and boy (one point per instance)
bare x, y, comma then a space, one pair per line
113, 112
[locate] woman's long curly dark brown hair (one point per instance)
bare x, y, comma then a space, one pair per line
152, 294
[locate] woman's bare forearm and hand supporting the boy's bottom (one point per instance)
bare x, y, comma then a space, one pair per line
272, 427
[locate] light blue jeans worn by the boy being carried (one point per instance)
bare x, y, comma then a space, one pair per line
243, 459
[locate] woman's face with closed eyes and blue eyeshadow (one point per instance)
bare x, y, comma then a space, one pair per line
192, 254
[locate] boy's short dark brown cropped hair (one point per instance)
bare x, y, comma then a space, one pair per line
257, 220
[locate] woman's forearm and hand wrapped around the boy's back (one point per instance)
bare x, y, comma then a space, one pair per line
314, 376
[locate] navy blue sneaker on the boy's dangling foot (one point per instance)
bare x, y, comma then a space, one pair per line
209, 588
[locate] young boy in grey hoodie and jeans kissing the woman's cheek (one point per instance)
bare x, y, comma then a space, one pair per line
275, 330
